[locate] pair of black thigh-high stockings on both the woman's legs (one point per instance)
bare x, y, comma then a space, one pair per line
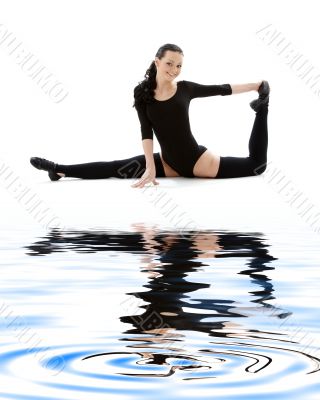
134, 167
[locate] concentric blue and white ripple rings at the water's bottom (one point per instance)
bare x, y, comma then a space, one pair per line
121, 372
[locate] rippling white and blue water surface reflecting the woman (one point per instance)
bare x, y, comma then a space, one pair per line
106, 314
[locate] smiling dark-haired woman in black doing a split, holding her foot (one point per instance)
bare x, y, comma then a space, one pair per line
162, 106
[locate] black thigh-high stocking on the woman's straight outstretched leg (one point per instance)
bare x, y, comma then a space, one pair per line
132, 167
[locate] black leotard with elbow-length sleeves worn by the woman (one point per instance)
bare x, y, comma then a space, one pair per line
169, 120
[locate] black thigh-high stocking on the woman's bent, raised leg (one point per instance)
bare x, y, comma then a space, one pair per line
255, 164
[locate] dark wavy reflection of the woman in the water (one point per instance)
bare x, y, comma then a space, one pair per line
170, 304
